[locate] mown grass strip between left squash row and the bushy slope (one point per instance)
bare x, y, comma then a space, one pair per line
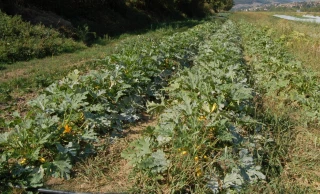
23, 80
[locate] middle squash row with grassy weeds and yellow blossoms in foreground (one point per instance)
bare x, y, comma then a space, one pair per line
203, 141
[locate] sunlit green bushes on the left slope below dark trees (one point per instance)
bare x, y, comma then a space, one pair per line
23, 41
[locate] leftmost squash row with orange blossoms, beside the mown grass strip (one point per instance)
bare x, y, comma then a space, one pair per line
64, 124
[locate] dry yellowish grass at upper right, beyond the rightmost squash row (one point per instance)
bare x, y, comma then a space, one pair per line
301, 38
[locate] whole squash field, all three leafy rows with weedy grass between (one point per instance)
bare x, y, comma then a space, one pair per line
235, 111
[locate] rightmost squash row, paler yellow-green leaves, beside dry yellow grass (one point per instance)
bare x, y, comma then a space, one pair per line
279, 76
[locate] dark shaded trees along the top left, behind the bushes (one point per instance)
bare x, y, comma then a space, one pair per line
116, 16
